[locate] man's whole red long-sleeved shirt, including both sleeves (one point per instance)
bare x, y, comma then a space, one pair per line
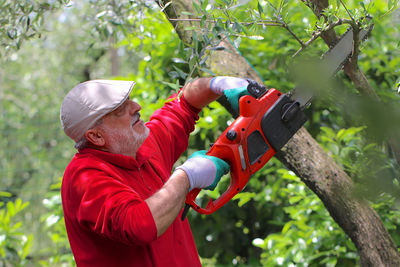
107, 220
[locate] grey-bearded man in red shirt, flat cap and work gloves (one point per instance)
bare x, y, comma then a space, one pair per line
121, 202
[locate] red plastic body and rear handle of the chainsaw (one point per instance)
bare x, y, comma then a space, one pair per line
232, 146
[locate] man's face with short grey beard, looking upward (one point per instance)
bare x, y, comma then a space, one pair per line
124, 131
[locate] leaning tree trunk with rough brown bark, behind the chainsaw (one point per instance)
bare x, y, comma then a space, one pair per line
316, 168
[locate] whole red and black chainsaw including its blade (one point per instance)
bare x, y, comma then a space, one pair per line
268, 119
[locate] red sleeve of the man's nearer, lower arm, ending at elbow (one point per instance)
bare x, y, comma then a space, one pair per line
111, 209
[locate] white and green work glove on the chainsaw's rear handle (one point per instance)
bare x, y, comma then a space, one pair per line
204, 171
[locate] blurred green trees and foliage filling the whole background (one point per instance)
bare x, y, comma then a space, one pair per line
50, 46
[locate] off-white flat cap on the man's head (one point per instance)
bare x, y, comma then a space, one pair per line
89, 101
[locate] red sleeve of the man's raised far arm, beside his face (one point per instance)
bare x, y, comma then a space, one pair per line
171, 126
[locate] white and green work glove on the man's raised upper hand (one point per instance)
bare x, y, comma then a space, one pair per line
232, 87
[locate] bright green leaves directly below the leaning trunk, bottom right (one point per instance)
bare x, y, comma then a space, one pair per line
310, 237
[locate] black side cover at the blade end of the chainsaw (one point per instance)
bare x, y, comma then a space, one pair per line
282, 121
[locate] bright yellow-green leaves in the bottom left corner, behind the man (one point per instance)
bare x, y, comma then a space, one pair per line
15, 245
